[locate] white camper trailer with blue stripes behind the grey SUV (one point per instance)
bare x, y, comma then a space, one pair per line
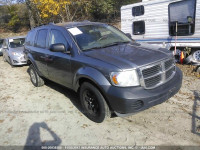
164, 23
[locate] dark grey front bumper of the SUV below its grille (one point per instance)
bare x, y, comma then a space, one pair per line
126, 101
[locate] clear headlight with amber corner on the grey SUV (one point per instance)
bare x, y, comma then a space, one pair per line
125, 79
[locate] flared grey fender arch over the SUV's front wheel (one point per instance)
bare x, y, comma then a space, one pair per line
91, 74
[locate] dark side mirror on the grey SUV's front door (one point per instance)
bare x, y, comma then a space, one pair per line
59, 48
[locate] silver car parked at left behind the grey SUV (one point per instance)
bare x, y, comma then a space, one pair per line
13, 51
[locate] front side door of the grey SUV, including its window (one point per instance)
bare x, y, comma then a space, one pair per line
59, 64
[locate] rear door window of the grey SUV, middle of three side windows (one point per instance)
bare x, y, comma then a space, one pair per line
41, 38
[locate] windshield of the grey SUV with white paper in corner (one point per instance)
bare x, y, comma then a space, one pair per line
97, 36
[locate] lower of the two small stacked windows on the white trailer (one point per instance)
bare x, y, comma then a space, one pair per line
138, 27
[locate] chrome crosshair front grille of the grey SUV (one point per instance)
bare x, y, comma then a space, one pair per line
157, 74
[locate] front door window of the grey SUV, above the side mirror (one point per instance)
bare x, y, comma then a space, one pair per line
57, 37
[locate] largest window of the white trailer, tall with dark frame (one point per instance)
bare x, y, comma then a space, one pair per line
182, 18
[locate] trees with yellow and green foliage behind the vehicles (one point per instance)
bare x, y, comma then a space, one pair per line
16, 15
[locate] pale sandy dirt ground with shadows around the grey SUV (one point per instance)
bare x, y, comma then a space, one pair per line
50, 115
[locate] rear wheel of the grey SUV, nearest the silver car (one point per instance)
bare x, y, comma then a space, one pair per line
35, 78
